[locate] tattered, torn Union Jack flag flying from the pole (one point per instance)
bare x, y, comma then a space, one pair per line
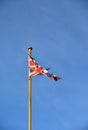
35, 69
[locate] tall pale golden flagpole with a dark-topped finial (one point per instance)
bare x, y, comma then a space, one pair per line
29, 92
